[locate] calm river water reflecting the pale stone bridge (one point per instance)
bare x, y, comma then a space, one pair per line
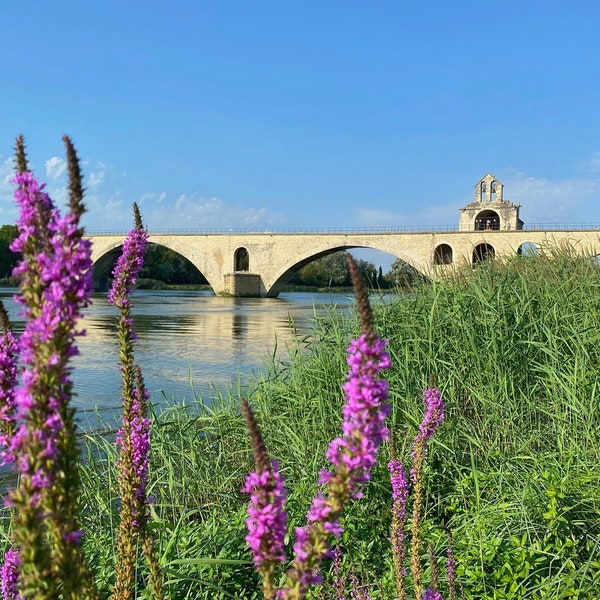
189, 343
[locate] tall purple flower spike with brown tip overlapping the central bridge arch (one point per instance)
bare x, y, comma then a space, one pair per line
353, 455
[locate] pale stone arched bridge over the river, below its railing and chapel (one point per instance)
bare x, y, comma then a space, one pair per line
259, 264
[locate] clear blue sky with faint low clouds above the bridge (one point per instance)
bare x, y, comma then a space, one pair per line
236, 114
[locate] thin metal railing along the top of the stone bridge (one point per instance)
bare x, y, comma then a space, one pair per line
344, 230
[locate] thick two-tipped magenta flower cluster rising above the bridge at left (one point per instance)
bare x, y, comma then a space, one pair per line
56, 284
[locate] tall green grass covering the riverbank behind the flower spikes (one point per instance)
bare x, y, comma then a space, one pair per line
514, 470
